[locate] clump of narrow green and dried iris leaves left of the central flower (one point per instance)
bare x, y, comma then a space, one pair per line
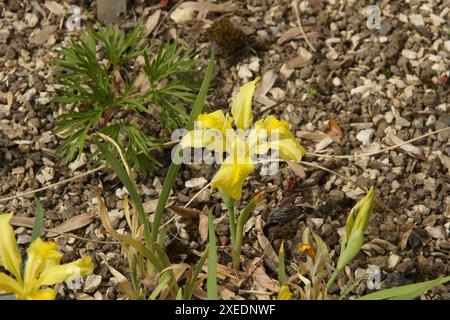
149, 260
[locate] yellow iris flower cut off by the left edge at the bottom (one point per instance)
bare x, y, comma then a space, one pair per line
42, 268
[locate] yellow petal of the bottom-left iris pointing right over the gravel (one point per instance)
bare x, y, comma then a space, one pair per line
69, 271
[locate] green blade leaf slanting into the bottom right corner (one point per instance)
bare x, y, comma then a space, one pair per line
407, 292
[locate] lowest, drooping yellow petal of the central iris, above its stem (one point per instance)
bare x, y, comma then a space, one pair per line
231, 177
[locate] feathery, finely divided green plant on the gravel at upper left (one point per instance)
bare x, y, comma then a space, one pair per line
107, 94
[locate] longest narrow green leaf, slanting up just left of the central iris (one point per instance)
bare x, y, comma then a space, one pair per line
174, 168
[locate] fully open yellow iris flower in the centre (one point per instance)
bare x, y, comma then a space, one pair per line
213, 132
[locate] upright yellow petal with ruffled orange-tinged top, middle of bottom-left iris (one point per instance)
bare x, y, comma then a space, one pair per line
41, 255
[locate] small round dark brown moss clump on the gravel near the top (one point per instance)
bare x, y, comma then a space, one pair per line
227, 36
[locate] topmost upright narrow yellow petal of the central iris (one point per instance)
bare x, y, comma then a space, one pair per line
242, 105
